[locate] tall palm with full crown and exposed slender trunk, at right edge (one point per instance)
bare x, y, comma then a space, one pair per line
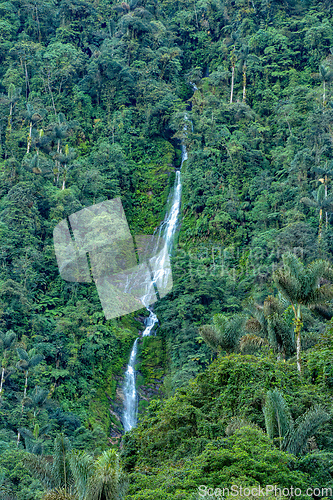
301, 286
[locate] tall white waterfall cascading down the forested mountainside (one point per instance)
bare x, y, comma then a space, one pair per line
167, 232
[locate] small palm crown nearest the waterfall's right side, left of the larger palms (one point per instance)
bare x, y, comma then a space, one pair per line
224, 334
